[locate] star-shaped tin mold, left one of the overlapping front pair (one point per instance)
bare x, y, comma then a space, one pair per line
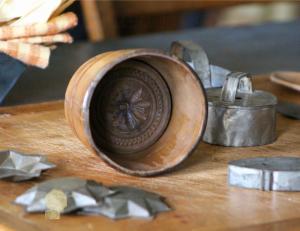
80, 193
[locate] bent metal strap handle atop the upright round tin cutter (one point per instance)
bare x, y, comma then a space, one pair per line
236, 82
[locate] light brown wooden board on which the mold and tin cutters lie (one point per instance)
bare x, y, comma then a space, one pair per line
197, 191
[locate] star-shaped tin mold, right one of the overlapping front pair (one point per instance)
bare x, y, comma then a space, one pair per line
129, 202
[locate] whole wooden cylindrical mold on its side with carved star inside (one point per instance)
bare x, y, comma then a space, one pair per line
141, 111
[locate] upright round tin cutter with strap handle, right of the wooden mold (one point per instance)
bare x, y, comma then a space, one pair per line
238, 115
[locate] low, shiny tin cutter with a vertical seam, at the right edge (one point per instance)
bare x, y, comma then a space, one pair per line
266, 173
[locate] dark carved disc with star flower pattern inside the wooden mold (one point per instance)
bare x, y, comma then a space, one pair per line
131, 108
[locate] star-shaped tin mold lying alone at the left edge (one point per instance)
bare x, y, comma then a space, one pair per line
17, 166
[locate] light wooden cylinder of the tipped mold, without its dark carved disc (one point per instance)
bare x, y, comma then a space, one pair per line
184, 128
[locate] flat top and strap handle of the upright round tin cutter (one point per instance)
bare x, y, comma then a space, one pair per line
238, 92
